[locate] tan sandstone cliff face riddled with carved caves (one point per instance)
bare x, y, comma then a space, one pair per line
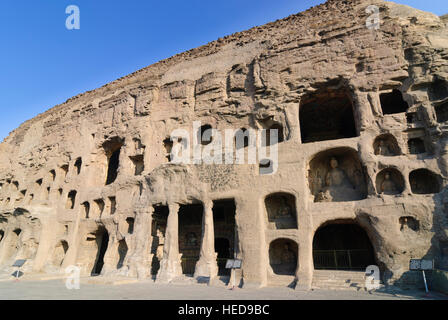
360, 177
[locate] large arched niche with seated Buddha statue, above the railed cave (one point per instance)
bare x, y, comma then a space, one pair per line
337, 175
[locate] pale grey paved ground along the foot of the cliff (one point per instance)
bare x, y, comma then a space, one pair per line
55, 289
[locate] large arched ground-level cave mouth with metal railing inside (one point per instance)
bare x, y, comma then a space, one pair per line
342, 245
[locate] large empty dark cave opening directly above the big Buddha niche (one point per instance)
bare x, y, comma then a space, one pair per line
327, 115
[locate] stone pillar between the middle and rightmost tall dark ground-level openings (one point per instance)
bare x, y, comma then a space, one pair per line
207, 265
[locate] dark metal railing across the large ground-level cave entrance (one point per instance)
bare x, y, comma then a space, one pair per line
355, 259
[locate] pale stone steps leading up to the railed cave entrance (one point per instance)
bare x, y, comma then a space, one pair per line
339, 280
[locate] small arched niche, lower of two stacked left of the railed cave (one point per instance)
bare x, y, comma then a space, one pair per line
283, 255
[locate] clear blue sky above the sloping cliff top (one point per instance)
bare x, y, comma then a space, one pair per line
42, 64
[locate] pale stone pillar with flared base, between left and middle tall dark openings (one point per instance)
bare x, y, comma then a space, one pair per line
170, 266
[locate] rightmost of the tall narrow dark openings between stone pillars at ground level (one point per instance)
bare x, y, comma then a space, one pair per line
224, 229
